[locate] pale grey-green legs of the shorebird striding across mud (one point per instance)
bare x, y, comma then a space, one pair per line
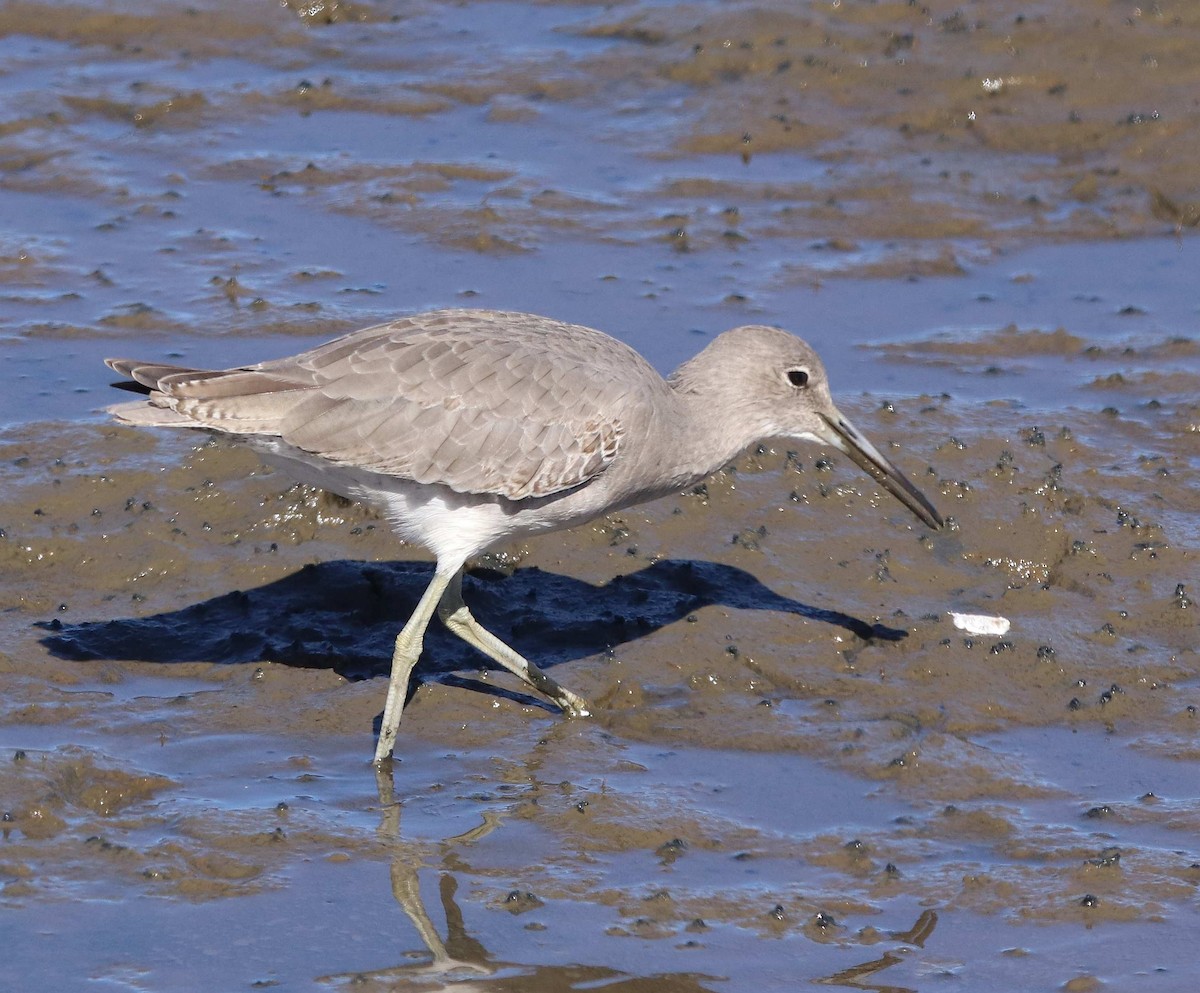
445, 595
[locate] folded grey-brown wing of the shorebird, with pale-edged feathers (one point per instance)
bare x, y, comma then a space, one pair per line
482, 402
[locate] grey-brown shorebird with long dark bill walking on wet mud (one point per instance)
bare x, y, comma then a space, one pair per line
470, 429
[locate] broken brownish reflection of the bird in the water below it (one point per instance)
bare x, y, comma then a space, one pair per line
463, 964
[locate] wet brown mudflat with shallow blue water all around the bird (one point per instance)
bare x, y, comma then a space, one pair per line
800, 773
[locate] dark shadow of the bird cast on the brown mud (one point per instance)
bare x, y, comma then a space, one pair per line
345, 616
